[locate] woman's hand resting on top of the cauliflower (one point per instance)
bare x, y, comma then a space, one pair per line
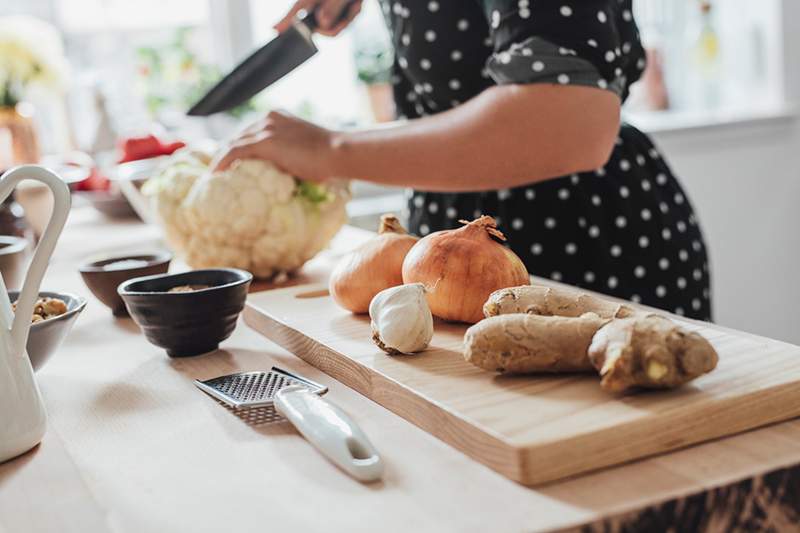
297, 147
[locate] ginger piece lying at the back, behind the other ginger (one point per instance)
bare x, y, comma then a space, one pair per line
550, 301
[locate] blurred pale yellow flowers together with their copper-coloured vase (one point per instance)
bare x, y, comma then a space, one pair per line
31, 54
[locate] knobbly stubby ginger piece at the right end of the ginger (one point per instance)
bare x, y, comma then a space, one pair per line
650, 352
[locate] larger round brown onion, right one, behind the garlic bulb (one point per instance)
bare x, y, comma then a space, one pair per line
462, 267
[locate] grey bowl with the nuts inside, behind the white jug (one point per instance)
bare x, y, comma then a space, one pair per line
53, 317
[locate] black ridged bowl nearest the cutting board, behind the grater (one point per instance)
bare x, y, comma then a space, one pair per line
187, 323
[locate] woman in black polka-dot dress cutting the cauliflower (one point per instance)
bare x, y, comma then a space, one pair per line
514, 111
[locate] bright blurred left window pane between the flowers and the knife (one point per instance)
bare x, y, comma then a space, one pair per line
107, 44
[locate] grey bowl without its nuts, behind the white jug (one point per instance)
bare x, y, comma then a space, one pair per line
46, 336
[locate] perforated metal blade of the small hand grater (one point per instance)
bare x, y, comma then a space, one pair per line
248, 390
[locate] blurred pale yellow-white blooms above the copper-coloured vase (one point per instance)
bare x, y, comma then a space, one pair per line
31, 51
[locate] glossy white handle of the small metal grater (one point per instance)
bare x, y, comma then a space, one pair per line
331, 430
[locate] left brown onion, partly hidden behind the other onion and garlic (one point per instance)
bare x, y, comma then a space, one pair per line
374, 266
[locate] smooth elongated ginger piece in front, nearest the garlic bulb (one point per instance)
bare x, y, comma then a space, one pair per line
524, 343
